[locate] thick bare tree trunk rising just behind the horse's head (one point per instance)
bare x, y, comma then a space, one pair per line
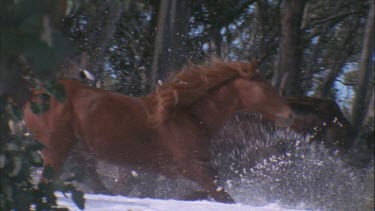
286, 76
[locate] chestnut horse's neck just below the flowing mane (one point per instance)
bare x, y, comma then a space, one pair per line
213, 110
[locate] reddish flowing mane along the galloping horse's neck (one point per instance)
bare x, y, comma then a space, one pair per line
194, 82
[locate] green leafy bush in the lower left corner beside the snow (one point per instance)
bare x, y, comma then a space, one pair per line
18, 157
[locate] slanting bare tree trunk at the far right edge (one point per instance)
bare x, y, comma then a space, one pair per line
360, 103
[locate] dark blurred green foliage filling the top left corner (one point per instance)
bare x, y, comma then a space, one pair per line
29, 32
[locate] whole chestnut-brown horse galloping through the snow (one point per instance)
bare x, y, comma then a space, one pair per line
166, 132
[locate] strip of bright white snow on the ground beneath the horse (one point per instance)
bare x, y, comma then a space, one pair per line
121, 203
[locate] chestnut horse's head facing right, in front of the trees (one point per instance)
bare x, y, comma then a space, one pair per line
258, 95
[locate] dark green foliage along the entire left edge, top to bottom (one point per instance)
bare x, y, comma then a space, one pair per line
31, 45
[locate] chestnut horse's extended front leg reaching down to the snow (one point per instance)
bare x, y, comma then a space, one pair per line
205, 176
